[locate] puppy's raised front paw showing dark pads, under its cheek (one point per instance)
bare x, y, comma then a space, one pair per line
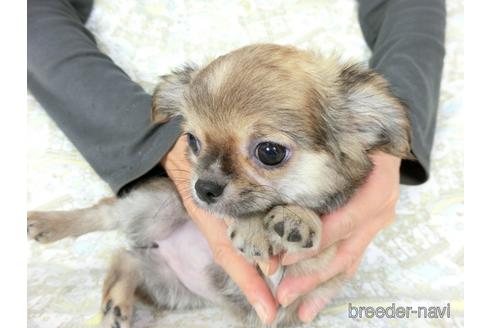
294, 228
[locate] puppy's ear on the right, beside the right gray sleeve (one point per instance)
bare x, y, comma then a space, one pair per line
378, 118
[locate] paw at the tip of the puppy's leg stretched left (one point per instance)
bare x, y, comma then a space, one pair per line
44, 227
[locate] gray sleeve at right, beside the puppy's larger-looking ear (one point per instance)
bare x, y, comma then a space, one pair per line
407, 42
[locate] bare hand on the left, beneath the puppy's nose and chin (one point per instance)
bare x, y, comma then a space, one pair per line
243, 273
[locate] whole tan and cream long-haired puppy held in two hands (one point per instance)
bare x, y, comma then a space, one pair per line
277, 136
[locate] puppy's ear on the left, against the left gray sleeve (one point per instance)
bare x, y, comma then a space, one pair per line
167, 100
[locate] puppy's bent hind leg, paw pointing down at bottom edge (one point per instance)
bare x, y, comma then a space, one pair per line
143, 274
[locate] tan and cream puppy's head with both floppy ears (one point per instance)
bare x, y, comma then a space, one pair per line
270, 125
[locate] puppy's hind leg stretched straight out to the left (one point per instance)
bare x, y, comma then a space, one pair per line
150, 212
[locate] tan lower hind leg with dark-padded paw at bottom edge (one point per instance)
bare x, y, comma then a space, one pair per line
120, 285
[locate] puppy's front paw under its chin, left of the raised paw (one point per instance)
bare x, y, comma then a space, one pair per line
250, 237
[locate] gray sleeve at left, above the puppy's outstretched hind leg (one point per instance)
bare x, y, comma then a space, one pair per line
98, 107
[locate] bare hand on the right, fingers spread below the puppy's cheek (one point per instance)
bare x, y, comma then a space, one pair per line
353, 226
